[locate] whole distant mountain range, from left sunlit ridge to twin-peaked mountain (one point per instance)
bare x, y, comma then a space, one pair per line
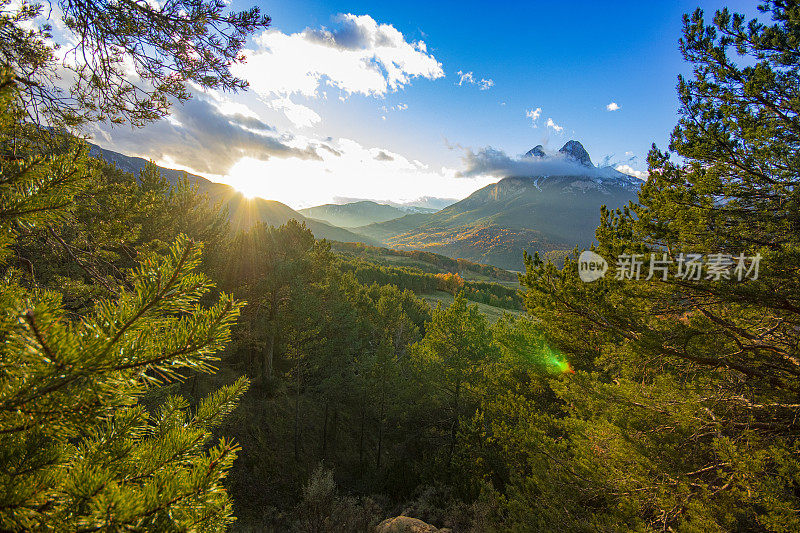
550, 202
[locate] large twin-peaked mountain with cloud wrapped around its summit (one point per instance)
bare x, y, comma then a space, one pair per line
537, 212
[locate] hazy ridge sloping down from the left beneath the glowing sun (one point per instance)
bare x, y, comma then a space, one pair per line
243, 211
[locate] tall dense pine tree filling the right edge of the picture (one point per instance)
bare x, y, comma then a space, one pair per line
683, 413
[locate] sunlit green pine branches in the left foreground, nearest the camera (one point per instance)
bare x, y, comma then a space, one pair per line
78, 449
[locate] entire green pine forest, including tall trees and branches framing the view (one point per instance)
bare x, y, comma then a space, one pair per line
163, 368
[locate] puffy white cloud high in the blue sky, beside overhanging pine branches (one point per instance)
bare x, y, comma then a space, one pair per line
359, 56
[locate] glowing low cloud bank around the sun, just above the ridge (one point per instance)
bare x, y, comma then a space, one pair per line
229, 143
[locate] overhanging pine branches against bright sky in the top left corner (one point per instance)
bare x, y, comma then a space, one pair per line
109, 37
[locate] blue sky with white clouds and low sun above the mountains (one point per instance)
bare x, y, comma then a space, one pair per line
396, 101
